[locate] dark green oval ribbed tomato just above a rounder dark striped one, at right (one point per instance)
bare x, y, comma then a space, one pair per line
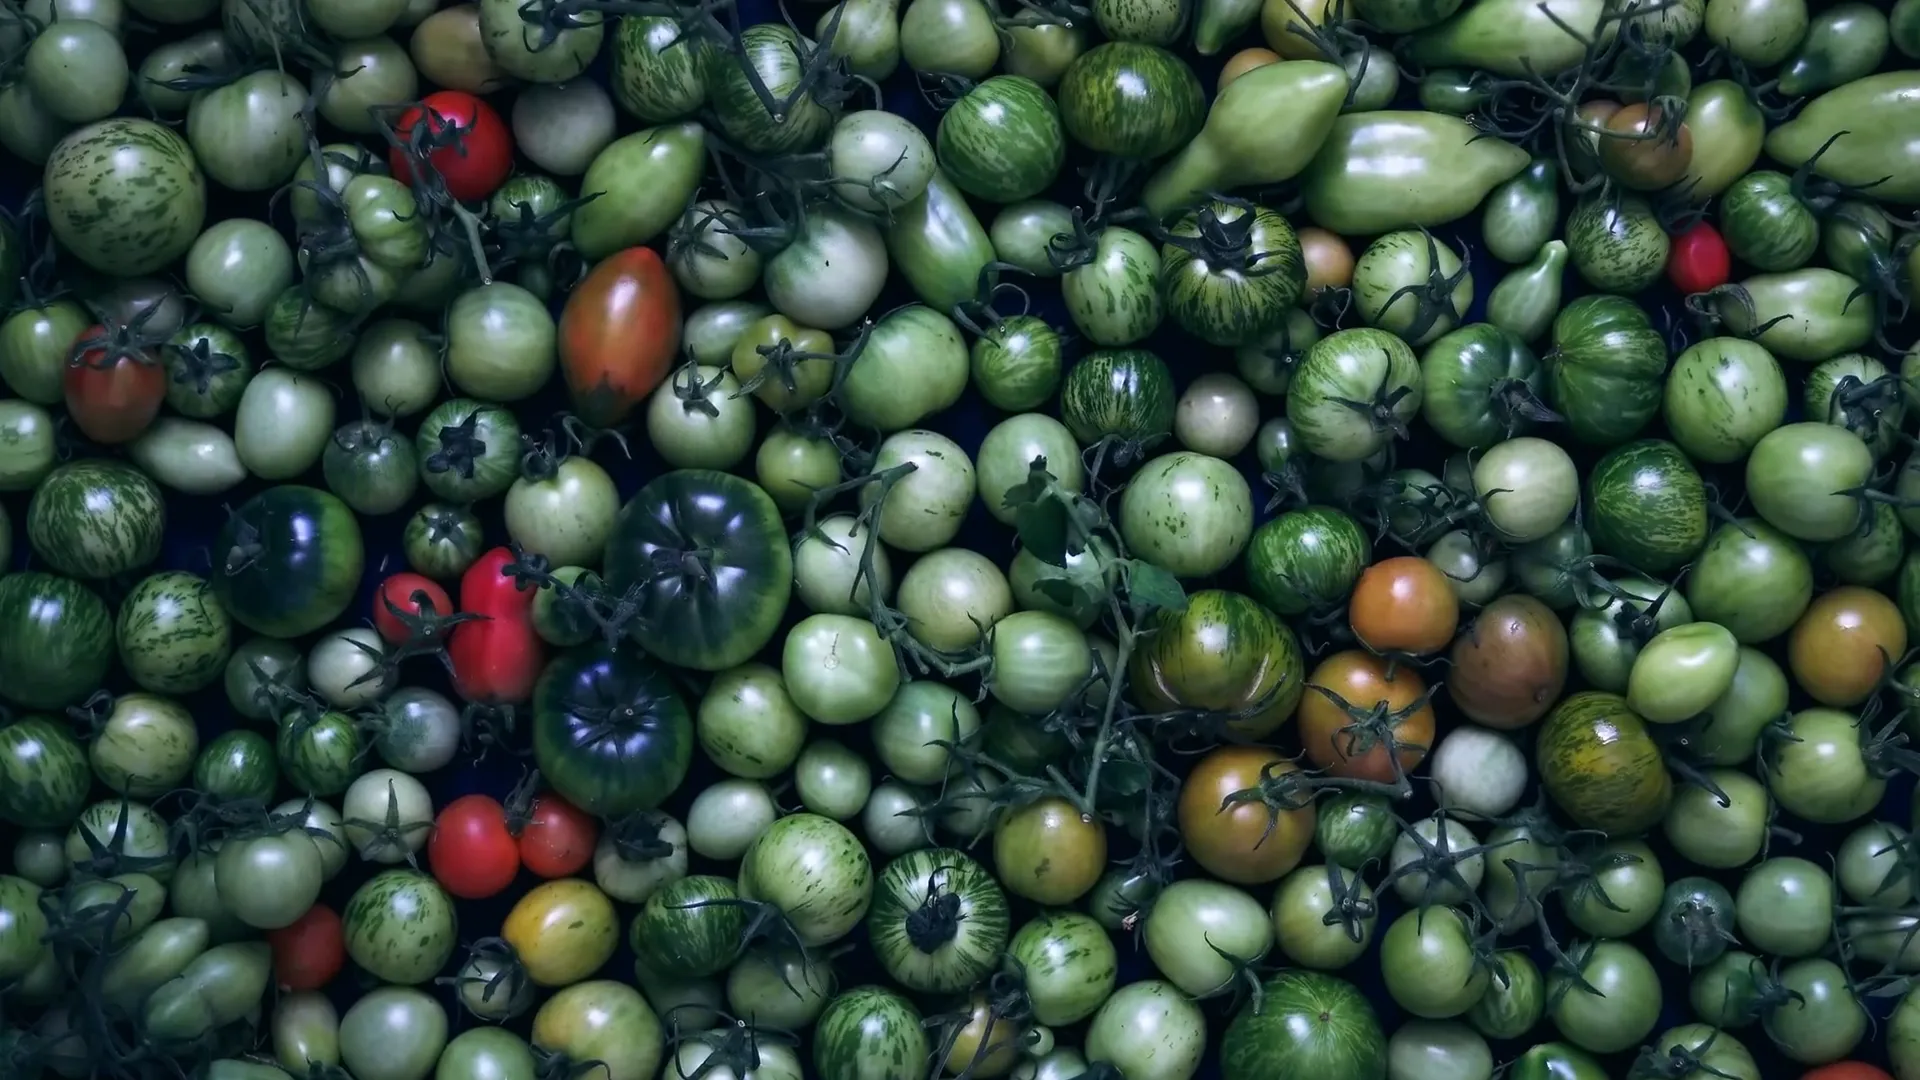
1606, 368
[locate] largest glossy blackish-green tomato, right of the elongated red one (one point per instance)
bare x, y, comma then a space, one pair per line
734, 568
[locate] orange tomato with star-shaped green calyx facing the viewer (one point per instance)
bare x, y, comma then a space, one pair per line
1391, 712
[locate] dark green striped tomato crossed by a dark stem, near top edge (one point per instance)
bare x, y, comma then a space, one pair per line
780, 59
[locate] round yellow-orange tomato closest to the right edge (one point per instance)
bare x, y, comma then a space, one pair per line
1844, 643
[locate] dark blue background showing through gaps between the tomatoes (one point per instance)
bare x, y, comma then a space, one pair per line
195, 522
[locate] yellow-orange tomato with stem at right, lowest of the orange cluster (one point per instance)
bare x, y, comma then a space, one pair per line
1247, 843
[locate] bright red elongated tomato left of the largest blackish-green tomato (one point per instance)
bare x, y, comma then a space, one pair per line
498, 658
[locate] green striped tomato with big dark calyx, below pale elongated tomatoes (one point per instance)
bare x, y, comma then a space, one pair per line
1232, 272
